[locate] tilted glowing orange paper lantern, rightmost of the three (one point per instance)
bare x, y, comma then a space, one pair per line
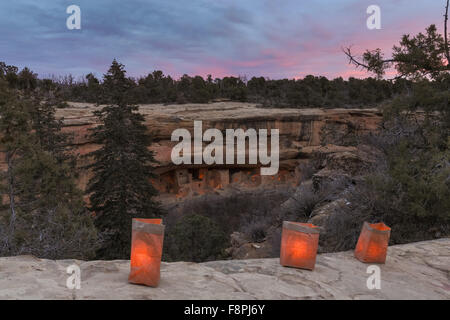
373, 242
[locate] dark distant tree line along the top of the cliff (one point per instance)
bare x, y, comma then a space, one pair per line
156, 87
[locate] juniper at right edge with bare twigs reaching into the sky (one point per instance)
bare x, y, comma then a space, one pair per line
410, 186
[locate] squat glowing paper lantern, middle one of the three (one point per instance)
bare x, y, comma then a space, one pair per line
299, 242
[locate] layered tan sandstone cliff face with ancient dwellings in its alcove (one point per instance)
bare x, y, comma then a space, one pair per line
302, 133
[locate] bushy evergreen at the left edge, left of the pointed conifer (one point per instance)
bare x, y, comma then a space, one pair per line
44, 213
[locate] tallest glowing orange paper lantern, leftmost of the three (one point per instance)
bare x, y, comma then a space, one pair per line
146, 250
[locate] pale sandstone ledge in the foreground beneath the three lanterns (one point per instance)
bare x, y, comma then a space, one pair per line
412, 271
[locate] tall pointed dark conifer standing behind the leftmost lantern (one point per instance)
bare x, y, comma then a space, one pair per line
120, 188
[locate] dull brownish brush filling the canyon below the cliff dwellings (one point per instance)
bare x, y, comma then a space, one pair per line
249, 212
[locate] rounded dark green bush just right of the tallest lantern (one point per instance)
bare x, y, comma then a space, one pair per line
195, 238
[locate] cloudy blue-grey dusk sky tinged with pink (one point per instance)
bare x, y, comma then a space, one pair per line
271, 38
